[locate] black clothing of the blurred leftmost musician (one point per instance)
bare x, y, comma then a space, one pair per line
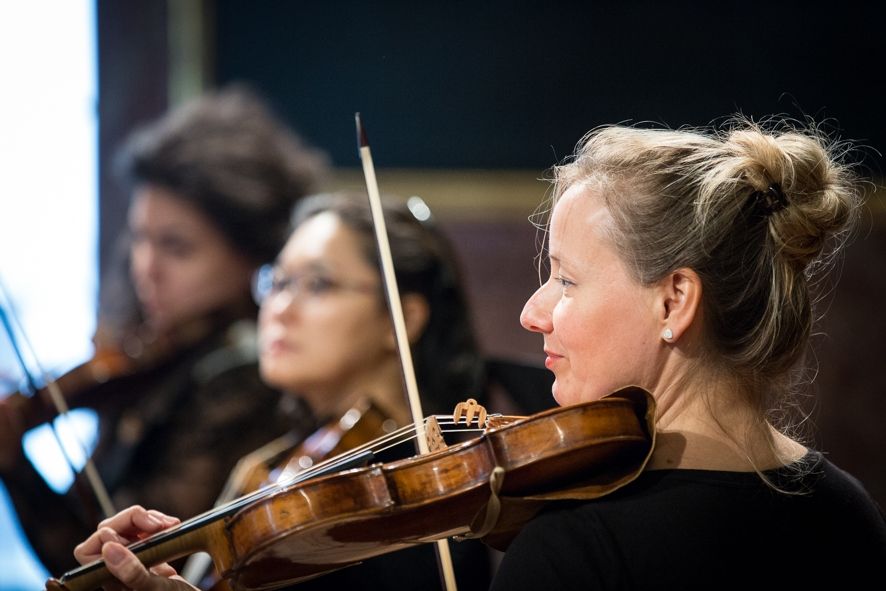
168, 439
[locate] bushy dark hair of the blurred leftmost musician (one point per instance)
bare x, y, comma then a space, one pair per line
231, 157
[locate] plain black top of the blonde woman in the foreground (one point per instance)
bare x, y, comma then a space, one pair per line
692, 529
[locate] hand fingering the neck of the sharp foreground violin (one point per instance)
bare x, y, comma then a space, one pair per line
109, 544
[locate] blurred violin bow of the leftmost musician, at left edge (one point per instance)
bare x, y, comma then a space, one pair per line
61, 407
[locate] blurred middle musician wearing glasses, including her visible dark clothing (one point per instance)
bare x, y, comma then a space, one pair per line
326, 336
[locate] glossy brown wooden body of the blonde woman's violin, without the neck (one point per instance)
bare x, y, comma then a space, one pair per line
345, 518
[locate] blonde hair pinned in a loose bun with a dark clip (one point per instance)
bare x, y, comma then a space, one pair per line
755, 209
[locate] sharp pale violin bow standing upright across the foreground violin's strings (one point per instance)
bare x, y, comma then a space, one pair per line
390, 282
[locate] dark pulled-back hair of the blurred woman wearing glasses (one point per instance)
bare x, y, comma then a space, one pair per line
447, 360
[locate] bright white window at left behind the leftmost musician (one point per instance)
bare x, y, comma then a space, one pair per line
48, 209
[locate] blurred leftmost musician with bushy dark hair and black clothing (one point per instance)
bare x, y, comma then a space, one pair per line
178, 394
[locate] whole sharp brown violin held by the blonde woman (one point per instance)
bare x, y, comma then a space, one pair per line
485, 487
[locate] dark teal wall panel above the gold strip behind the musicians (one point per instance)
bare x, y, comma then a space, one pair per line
515, 84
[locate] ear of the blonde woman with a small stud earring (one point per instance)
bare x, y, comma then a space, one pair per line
679, 303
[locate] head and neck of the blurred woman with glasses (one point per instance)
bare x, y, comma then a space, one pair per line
325, 331
